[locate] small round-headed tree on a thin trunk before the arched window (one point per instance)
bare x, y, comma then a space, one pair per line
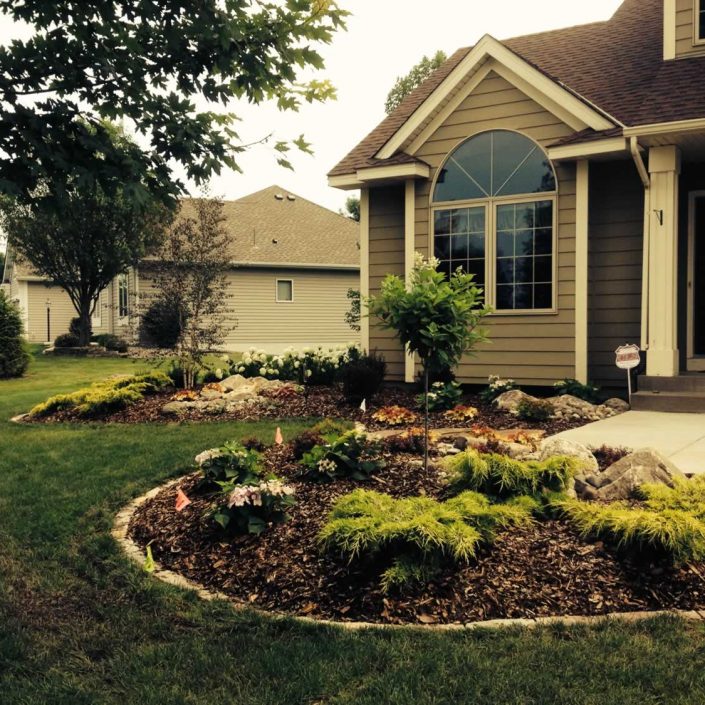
433, 317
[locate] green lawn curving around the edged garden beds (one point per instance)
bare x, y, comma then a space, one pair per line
80, 625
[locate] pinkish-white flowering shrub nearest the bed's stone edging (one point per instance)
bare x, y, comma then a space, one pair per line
251, 508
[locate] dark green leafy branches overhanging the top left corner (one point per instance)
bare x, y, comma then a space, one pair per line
167, 67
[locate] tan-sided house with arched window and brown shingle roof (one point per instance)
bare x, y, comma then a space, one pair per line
567, 171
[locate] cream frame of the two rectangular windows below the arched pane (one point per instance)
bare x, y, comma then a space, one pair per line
490, 205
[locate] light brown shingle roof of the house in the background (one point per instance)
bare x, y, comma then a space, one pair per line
274, 226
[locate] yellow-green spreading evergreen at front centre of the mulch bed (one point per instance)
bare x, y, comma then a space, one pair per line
412, 538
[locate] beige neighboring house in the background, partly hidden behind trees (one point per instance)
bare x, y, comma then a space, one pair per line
292, 265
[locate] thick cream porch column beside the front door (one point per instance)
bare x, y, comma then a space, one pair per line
664, 168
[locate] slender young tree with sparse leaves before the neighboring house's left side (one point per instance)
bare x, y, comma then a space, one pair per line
191, 268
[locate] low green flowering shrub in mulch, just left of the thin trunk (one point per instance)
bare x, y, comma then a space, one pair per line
351, 455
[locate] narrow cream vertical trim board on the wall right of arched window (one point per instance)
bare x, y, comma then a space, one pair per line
581, 270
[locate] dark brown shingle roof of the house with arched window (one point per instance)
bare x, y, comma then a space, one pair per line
616, 65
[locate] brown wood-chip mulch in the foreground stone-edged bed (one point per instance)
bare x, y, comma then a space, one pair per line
544, 570
